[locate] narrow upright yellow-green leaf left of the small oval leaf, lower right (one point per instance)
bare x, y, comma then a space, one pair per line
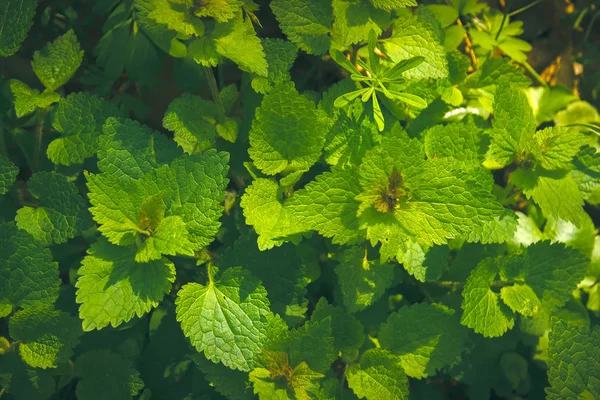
482, 310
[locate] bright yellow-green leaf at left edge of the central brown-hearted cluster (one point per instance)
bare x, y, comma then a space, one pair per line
263, 210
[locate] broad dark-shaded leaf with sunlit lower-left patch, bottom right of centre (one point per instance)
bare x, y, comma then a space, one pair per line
426, 337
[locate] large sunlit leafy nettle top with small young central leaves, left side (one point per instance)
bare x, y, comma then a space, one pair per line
145, 189
